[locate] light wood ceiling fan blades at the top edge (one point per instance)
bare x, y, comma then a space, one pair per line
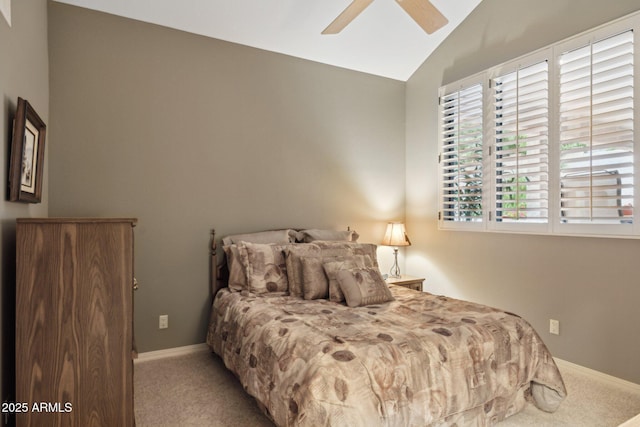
422, 11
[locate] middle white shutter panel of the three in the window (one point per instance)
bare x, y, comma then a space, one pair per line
521, 155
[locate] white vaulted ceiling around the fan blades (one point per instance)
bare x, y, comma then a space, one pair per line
383, 40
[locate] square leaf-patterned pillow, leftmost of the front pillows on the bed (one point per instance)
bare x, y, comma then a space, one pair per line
265, 267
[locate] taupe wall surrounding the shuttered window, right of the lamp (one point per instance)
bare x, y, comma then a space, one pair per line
590, 285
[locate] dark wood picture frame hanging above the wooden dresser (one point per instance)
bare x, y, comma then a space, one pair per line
26, 169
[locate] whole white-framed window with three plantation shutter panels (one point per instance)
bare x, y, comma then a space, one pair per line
545, 143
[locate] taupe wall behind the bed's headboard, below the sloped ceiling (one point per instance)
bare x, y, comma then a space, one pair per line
188, 133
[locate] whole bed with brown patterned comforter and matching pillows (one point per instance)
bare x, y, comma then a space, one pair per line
315, 349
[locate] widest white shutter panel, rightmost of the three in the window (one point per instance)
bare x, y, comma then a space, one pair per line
597, 132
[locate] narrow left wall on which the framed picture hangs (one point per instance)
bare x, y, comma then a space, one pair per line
24, 72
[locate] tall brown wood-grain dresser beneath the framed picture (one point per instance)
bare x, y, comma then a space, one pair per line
74, 322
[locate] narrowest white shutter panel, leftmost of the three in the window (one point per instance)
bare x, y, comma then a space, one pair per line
461, 158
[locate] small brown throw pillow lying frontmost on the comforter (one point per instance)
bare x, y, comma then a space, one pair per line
363, 286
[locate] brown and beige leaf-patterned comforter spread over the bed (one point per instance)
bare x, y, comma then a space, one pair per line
419, 360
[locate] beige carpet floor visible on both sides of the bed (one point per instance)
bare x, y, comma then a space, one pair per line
197, 390
